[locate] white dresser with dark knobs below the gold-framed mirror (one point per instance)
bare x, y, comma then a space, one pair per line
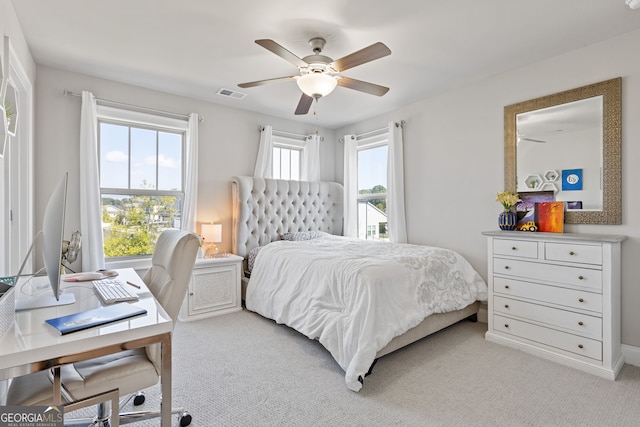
557, 295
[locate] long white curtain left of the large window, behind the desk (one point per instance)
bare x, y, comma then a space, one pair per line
90, 204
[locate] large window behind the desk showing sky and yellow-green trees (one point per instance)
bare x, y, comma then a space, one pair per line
141, 159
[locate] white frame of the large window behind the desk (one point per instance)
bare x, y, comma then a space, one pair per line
158, 123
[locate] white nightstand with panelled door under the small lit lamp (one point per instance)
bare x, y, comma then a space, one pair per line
214, 289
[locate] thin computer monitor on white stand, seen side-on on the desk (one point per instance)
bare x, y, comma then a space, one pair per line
52, 242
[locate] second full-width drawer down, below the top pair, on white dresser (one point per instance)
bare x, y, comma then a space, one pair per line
556, 296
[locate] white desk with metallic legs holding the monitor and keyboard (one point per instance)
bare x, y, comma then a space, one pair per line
31, 345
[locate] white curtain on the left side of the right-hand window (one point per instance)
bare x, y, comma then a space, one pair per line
350, 186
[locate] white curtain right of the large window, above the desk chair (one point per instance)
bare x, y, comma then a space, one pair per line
191, 176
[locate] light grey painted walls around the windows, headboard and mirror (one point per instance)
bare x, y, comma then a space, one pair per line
453, 150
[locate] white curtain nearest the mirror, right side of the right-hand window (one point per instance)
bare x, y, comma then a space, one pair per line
395, 183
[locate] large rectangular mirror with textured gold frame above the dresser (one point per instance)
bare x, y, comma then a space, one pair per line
559, 118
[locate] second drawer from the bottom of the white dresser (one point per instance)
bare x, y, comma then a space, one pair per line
576, 323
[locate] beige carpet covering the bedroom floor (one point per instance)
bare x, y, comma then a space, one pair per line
244, 370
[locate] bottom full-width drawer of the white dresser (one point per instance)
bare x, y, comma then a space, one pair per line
551, 337
